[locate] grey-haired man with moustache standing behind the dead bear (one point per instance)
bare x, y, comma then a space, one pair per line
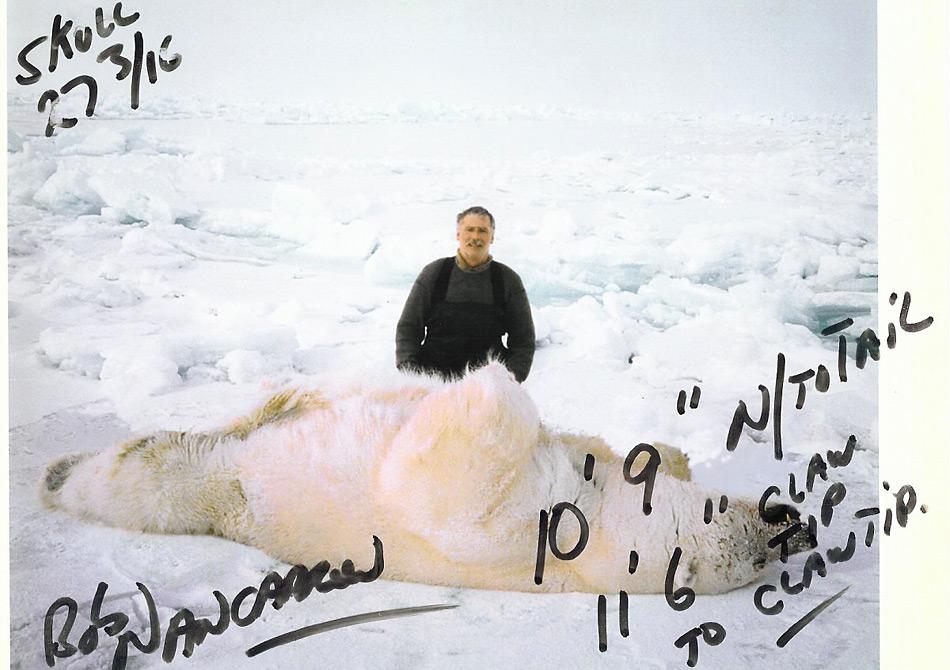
459, 307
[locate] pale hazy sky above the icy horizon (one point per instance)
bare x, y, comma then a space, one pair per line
641, 57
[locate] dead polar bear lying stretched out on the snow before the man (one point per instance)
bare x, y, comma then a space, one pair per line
451, 476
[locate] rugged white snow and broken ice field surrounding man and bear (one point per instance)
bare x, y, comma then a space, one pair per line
164, 275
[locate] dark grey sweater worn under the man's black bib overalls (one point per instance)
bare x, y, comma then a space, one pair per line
472, 285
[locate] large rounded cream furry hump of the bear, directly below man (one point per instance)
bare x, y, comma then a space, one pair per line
460, 449
